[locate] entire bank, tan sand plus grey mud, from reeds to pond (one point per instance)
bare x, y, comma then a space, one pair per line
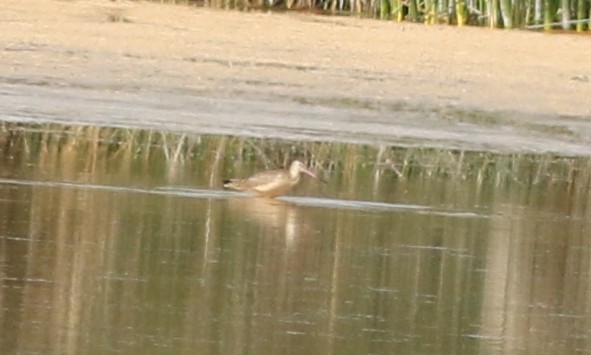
294, 76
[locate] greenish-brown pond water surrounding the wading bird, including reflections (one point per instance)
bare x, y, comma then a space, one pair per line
123, 241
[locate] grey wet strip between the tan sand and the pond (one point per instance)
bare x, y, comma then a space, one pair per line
330, 119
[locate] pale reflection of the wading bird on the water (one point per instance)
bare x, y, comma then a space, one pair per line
274, 216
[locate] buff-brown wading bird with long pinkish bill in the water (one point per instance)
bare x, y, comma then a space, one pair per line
273, 182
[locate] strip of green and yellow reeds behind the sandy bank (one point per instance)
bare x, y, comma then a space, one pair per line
532, 14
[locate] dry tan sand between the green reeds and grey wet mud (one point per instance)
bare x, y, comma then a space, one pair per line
133, 47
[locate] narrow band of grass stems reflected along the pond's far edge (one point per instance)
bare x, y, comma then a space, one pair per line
120, 147
